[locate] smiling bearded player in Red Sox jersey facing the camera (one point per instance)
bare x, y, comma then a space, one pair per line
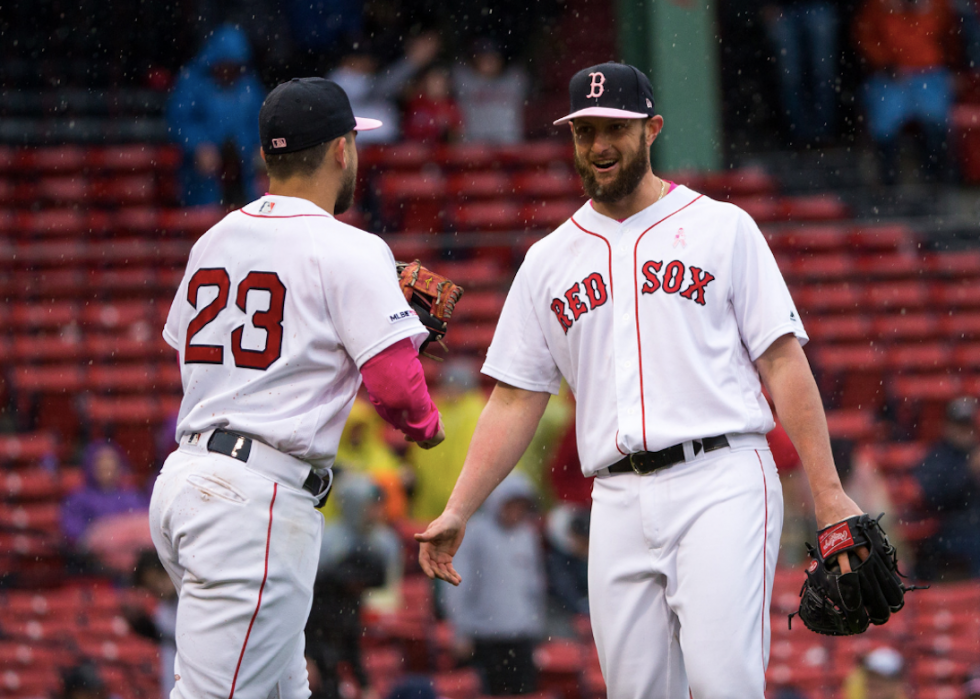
666, 314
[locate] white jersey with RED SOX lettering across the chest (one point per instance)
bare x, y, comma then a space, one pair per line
655, 323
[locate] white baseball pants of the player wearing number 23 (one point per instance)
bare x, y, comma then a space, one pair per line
242, 550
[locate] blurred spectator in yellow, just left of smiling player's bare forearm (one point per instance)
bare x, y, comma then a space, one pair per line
460, 403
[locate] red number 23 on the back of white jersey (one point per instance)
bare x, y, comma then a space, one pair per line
269, 320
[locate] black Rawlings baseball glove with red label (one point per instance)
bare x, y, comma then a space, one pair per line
837, 604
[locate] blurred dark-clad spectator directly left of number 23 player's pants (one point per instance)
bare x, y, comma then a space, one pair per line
161, 628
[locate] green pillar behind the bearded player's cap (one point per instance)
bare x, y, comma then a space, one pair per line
675, 43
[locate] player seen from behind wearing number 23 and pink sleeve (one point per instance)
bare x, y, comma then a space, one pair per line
282, 311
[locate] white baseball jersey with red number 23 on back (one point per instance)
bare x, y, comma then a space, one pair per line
280, 306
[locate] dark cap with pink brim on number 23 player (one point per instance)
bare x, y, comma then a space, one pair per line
306, 112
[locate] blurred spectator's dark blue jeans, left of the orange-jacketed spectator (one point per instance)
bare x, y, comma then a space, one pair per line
804, 35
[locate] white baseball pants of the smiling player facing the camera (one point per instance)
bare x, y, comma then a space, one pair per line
681, 565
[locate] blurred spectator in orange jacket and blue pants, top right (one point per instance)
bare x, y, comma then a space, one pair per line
906, 44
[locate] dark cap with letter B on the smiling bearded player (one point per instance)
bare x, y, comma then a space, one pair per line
613, 90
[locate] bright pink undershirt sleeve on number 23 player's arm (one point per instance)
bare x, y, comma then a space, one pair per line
396, 386
